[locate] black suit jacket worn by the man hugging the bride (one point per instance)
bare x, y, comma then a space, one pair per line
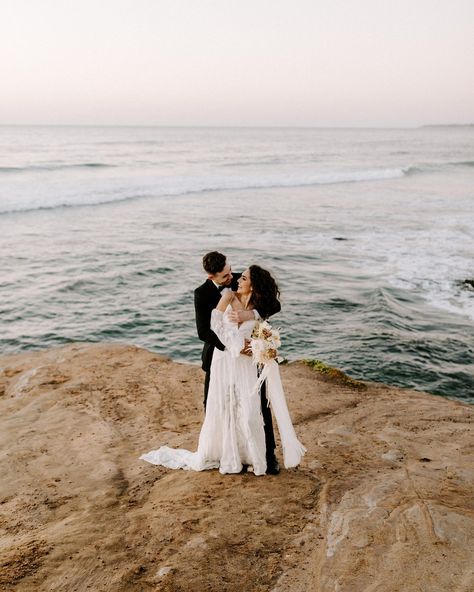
206, 298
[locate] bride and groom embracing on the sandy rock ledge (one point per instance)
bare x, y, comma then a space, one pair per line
239, 395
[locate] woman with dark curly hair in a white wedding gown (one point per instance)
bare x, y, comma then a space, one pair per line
232, 434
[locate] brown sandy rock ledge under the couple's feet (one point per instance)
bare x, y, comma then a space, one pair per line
383, 502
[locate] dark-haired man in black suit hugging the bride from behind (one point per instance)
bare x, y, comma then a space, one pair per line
206, 297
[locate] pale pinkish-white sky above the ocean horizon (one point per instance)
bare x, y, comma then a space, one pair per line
237, 62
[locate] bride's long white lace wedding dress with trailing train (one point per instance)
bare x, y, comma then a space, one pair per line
232, 433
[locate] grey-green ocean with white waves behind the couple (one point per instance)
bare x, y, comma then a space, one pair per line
369, 232
